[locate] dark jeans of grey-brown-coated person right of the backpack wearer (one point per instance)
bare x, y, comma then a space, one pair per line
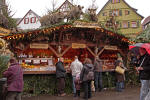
98, 81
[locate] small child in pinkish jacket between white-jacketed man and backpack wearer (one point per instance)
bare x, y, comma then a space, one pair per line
77, 84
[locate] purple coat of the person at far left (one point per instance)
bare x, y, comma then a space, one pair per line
14, 76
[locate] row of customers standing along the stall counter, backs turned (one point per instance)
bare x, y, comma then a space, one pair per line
83, 74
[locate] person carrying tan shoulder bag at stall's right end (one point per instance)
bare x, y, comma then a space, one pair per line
120, 78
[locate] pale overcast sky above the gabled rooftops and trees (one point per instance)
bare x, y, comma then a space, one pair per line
21, 7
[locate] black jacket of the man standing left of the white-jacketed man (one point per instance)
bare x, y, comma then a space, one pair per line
60, 70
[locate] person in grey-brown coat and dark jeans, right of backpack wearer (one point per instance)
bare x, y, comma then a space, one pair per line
98, 74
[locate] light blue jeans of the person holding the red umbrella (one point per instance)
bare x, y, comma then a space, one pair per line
145, 87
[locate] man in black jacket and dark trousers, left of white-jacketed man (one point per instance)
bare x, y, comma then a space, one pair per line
60, 75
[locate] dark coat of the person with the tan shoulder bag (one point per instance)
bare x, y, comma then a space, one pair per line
119, 77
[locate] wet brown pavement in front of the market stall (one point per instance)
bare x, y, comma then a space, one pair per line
130, 93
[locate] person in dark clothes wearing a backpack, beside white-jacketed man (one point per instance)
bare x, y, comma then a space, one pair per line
83, 77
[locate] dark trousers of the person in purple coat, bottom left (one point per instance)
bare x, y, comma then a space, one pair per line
13, 95
